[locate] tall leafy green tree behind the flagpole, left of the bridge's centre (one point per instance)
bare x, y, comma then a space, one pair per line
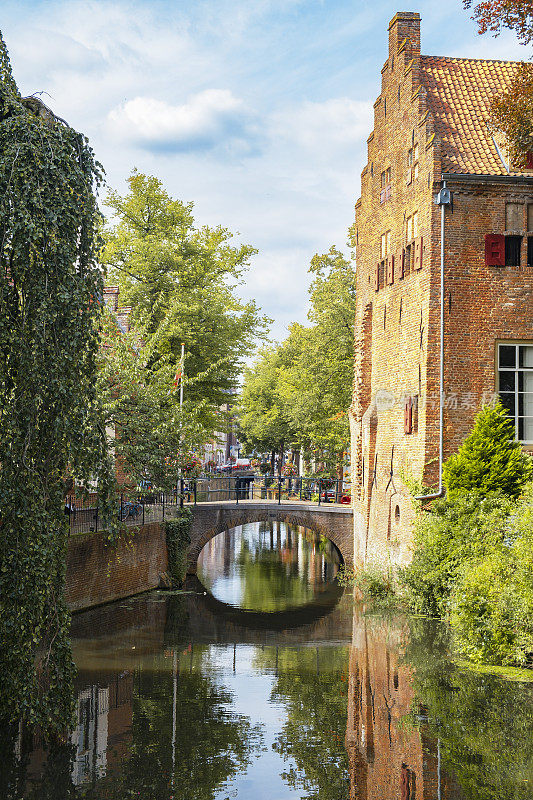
180, 282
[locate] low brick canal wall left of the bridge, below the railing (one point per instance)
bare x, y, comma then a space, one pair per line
99, 573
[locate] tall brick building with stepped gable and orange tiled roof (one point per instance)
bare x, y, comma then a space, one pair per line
439, 201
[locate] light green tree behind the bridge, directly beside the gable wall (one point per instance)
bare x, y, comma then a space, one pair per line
310, 375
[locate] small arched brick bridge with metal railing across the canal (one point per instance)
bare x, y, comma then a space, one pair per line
209, 519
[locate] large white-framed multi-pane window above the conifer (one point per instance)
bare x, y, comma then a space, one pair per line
515, 386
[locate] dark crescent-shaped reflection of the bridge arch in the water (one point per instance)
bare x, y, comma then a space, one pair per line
294, 617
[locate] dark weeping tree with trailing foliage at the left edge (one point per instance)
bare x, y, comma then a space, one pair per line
50, 282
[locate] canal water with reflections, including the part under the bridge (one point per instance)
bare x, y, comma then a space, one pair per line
265, 681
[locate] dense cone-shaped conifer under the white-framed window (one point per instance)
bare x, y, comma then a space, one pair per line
490, 459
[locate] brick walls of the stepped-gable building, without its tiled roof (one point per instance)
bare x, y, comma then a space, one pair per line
397, 326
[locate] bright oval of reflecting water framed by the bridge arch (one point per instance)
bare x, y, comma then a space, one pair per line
268, 567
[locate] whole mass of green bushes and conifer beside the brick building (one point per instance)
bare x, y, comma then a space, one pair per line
473, 551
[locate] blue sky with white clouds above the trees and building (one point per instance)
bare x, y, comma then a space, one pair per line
257, 111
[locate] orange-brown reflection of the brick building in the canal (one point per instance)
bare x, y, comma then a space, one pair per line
389, 759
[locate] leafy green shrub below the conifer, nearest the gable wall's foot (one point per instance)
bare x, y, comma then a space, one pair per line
445, 538
